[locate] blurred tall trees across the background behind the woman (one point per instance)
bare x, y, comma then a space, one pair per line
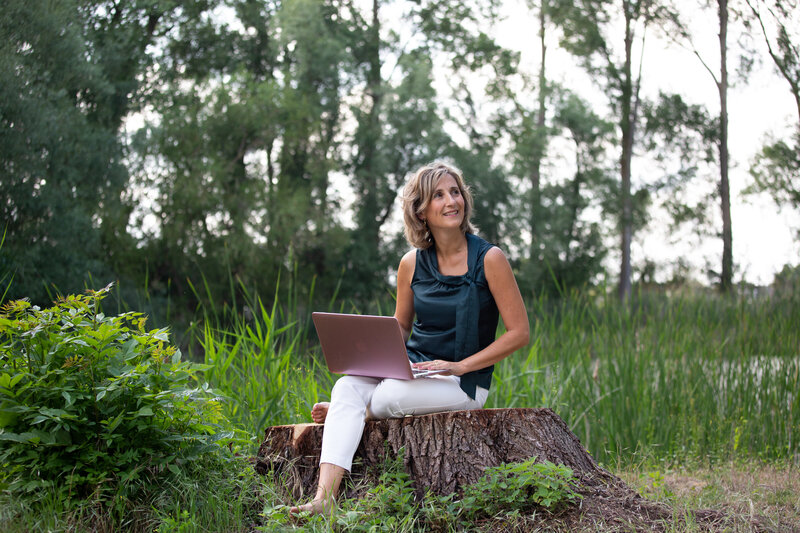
185, 147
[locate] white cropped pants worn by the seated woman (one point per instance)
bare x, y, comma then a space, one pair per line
354, 399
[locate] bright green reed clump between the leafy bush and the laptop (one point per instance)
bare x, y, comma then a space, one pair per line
262, 359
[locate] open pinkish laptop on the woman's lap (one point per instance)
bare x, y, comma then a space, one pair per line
365, 345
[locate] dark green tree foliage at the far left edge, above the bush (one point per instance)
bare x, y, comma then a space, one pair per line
57, 165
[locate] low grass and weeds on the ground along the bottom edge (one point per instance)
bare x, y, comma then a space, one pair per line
232, 498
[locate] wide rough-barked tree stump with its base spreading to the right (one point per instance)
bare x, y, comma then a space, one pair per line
446, 451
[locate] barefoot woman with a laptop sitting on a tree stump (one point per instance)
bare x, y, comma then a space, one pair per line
456, 284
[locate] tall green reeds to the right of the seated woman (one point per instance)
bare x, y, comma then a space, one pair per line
701, 376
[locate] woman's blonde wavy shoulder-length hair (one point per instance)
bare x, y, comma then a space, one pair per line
417, 195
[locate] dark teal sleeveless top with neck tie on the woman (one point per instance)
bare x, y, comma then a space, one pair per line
456, 315
